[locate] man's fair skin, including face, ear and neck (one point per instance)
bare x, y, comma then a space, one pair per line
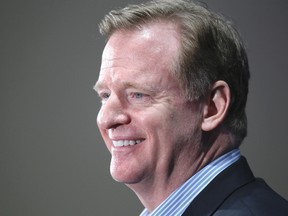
152, 132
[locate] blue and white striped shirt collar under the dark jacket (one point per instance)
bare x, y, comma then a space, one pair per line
180, 199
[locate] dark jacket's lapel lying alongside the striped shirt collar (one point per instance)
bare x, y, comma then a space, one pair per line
232, 178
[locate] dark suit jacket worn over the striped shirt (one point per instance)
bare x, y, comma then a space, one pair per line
236, 192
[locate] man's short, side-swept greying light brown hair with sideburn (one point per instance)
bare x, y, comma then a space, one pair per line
211, 50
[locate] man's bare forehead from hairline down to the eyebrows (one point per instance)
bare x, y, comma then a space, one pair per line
140, 55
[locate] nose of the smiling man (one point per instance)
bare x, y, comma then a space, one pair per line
112, 114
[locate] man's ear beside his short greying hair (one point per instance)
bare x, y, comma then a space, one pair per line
216, 106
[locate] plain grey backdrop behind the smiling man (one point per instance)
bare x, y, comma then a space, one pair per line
52, 159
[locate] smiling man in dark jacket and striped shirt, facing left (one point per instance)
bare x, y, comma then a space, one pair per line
173, 85
